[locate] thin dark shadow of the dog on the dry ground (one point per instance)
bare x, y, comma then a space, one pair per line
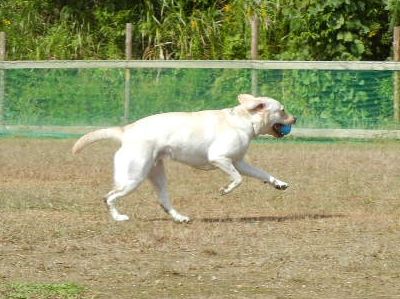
257, 219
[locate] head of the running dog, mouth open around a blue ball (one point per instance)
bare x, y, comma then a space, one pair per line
266, 114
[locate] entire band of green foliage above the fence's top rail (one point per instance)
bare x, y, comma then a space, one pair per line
199, 29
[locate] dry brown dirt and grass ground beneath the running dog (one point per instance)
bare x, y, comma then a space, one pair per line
333, 234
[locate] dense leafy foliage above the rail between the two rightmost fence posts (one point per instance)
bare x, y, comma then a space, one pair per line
328, 30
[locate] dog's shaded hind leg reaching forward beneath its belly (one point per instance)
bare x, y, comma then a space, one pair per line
158, 179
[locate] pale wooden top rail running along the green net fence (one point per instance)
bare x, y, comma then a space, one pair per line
206, 64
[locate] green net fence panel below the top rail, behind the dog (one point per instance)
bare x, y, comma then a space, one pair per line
333, 99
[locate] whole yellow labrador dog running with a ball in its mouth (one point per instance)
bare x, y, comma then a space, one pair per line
204, 139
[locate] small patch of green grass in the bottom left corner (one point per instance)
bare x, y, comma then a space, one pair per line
42, 291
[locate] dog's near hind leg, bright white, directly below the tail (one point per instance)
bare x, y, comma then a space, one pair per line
128, 175
